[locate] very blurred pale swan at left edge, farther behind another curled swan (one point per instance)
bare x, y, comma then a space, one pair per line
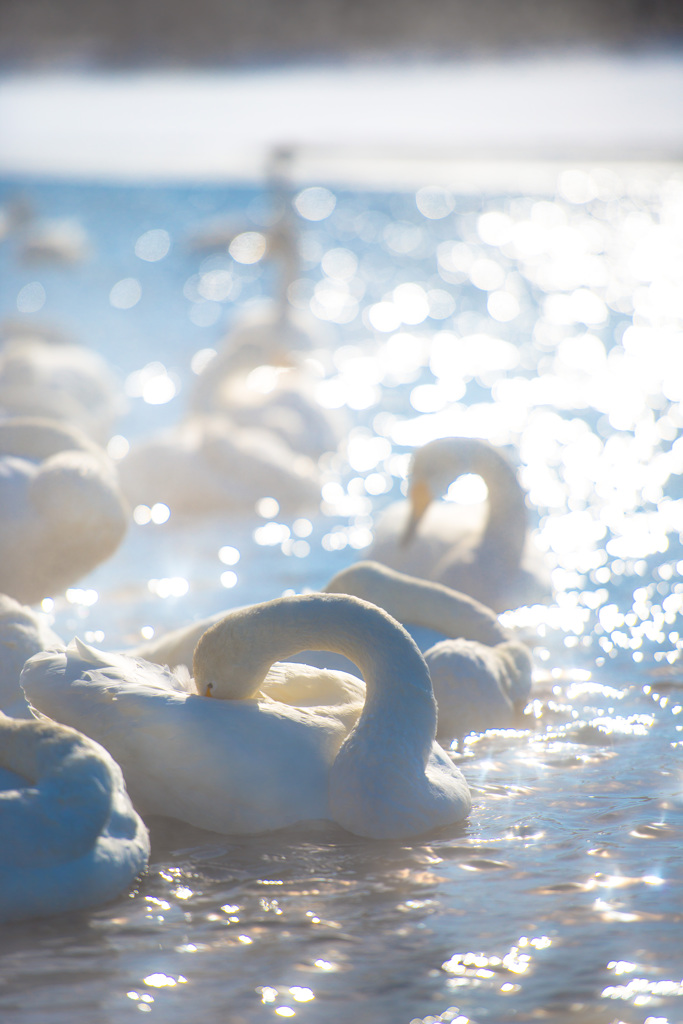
44, 375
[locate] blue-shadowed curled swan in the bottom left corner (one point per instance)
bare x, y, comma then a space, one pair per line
71, 838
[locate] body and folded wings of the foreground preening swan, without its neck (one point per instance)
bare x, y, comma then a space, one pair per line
233, 765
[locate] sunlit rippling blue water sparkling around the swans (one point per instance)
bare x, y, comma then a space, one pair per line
549, 323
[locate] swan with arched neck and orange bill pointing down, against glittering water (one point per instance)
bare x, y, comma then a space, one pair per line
485, 552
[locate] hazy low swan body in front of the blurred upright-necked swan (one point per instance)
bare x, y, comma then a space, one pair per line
207, 465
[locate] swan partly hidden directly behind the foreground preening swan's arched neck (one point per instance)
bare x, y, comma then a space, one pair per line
482, 677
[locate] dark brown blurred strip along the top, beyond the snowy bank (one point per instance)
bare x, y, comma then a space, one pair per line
214, 33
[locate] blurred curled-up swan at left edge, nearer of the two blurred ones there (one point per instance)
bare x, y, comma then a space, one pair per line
62, 511
